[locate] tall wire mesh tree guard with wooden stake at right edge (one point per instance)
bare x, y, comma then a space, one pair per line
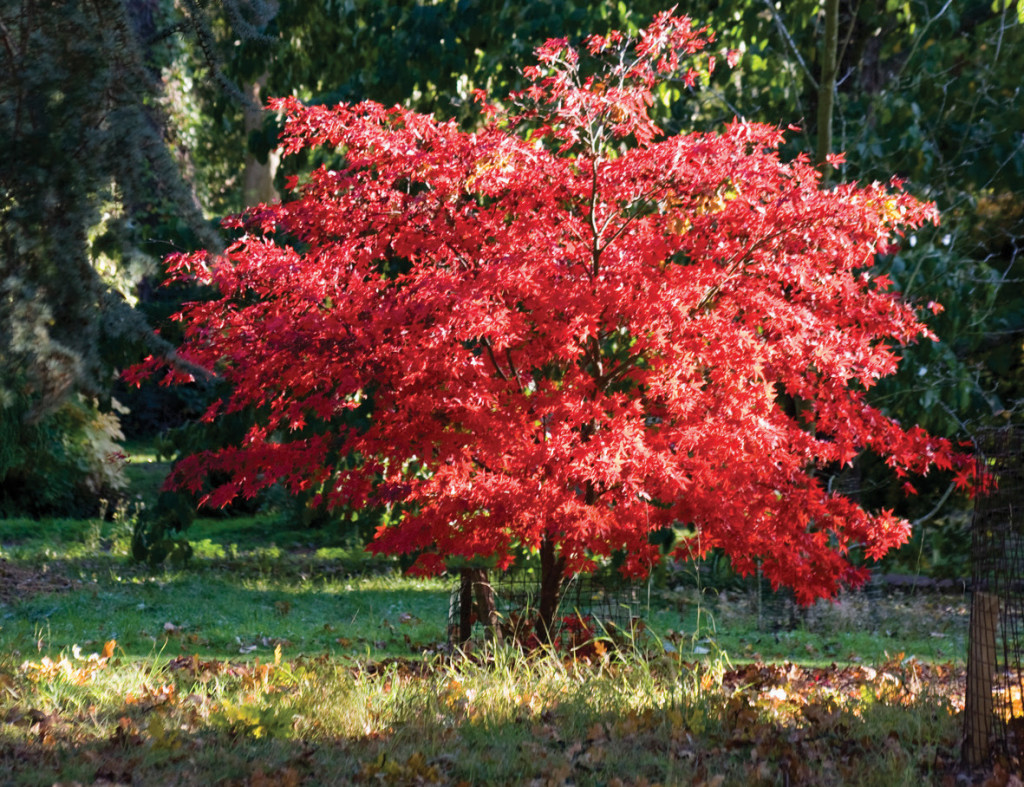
995, 711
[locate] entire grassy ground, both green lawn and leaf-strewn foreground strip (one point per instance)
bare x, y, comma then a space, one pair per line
278, 657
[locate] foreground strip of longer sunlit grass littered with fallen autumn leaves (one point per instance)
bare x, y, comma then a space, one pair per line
507, 720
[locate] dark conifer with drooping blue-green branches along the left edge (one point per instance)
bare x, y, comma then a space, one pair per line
91, 199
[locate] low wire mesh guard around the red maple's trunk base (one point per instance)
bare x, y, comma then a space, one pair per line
504, 606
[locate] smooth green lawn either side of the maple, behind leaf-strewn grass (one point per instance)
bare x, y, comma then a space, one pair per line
234, 599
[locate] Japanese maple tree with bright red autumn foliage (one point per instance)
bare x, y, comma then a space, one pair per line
568, 329
